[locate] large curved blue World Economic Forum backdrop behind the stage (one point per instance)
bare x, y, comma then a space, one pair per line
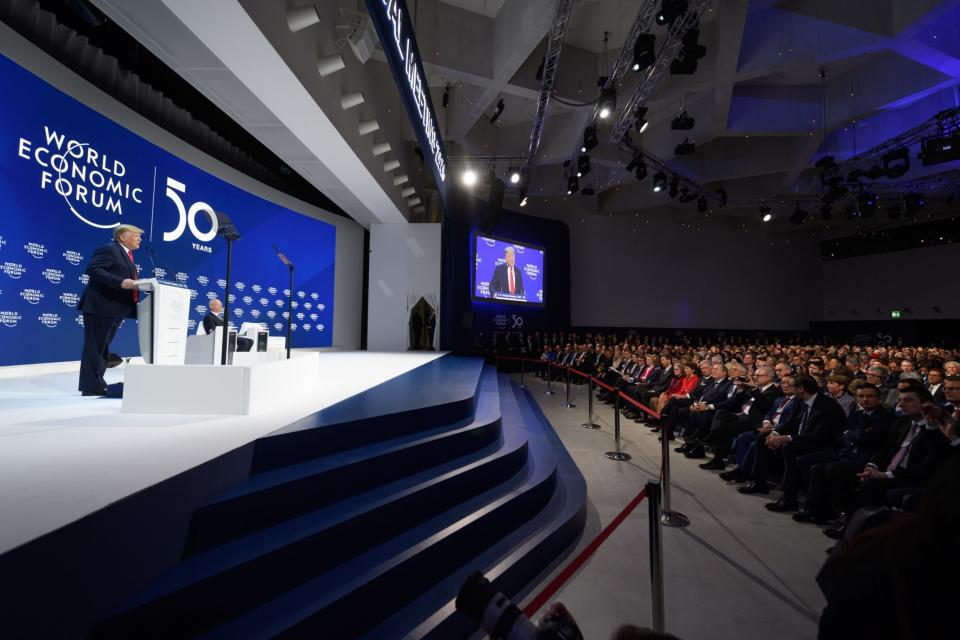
69, 175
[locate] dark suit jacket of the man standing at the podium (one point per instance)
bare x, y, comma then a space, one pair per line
103, 295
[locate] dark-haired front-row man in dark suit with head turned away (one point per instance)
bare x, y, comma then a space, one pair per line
819, 423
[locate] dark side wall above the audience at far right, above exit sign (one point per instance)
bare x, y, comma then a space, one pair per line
917, 279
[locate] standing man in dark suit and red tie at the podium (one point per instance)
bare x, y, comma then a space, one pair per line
108, 298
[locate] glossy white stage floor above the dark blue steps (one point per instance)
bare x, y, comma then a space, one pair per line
63, 456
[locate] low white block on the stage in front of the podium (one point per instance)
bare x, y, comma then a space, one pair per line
238, 389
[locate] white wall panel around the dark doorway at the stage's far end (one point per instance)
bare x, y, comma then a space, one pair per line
404, 265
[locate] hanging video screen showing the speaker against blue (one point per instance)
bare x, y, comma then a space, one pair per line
507, 271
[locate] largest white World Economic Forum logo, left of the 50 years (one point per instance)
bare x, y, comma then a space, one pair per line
92, 184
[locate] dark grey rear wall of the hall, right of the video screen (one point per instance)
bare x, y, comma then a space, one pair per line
645, 270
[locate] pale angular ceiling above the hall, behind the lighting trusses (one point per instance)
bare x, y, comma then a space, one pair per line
763, 116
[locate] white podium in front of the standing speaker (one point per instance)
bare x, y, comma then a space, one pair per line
162, 322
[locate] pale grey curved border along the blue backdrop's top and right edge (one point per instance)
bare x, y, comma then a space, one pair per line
348, 283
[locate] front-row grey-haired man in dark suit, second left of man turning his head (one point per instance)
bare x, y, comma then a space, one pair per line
727, 425
